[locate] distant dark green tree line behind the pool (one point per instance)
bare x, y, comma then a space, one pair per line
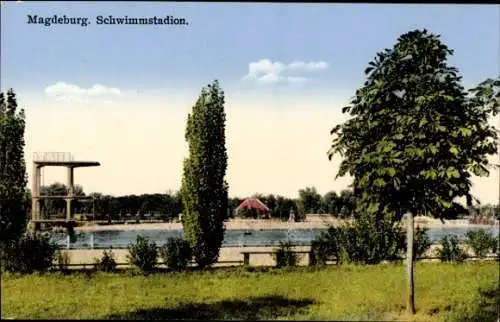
168, 206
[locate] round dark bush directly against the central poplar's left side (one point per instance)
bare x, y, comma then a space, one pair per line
176, 253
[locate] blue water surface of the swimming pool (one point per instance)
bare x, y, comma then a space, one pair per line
232, 238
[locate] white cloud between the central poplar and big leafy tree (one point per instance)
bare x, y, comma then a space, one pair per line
265, 71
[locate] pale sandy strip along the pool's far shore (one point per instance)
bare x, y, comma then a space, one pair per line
312, 222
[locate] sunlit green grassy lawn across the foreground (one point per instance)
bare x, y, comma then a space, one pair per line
454, 292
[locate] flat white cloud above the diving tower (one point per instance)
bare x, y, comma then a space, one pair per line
62, 90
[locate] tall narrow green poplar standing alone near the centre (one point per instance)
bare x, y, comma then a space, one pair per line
204, 189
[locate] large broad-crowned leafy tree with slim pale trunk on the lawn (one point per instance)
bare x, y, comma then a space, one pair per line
422, 170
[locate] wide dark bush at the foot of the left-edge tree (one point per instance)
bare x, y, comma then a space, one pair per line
34, 252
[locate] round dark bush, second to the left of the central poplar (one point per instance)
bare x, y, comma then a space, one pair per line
143, 254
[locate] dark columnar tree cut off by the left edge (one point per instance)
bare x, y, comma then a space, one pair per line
13, 210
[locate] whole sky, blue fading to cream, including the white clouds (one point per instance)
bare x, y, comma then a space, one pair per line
287, 70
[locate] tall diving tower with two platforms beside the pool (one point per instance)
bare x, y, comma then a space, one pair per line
55, 159
